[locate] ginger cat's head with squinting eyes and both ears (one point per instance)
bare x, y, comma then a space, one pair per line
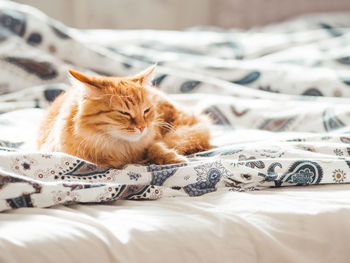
120, 107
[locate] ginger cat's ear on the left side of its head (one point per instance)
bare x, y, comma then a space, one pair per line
90, 86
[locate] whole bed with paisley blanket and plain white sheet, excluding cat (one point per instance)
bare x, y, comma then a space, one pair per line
273, 190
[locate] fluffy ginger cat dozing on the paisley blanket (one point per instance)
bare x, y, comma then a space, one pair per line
114, 121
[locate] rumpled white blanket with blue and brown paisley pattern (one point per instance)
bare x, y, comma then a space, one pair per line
278, 94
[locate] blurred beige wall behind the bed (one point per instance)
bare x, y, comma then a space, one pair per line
179, 14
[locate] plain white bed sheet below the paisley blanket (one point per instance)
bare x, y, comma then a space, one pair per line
292, 224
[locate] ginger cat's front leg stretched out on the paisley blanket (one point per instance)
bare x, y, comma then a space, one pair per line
159, 153
